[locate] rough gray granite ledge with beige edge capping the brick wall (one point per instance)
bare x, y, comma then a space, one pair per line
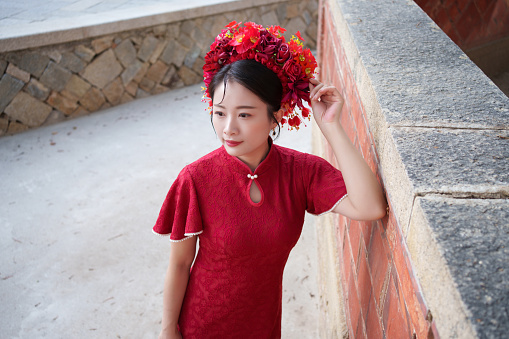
440, 126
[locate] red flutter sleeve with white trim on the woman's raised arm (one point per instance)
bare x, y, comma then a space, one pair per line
325, 185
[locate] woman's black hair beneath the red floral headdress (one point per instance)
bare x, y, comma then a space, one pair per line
255, 77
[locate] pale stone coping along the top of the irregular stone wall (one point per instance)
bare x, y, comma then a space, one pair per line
61, 30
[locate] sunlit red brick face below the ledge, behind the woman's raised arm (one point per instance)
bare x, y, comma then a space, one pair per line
380, 290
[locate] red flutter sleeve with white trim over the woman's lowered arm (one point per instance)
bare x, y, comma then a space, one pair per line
180, 216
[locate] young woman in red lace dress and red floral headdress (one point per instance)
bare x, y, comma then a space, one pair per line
246, 200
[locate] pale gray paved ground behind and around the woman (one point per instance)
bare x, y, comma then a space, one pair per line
77, 205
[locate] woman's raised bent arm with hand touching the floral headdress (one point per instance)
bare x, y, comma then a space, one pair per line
365, 200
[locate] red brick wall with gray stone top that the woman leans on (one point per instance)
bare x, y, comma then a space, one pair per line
434, 129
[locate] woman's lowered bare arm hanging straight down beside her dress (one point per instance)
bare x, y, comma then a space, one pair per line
175, 283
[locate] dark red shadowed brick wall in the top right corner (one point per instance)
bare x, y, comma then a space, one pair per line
469, 23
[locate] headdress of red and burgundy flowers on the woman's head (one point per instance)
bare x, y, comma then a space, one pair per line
293, 64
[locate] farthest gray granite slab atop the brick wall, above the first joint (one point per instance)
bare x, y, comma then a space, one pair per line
421, 78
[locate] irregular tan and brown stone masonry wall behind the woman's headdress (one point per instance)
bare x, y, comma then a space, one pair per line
47, 84
